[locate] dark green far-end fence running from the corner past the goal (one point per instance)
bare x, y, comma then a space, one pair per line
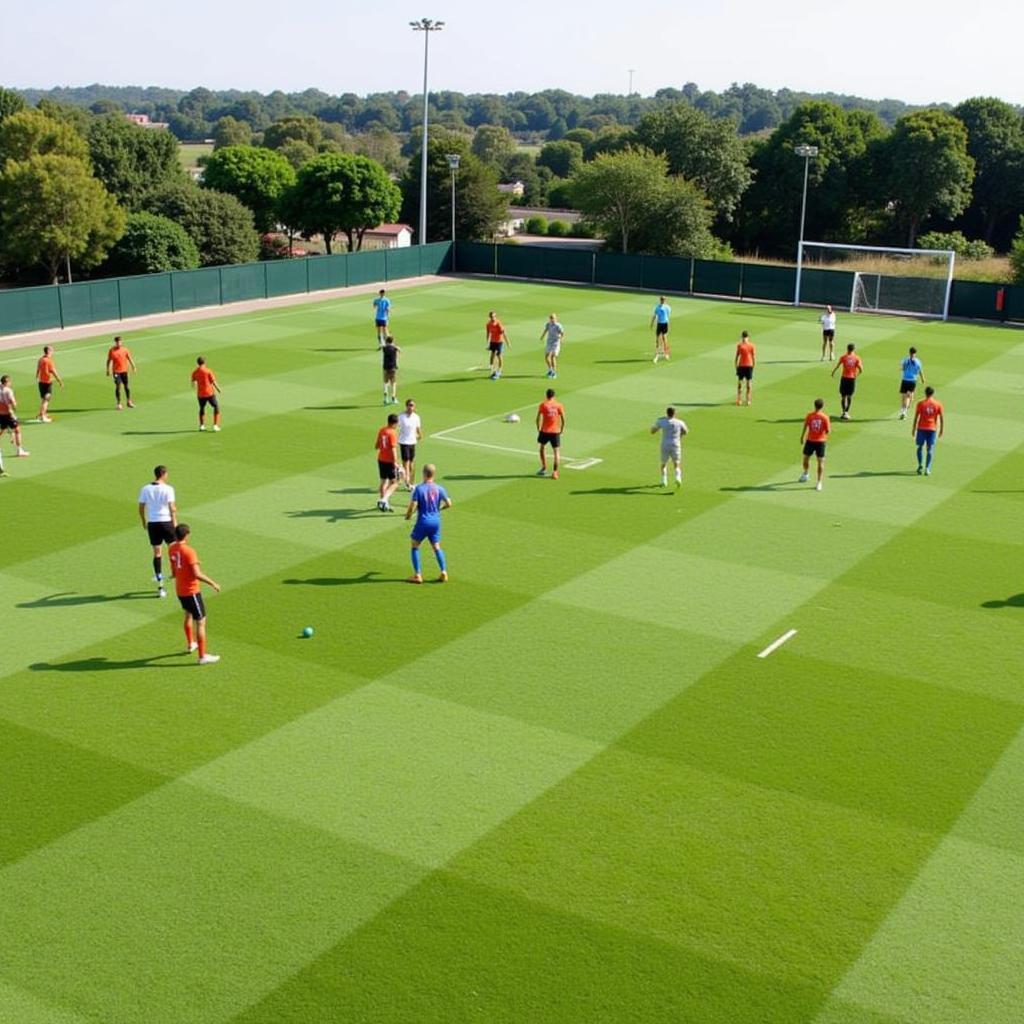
970, 300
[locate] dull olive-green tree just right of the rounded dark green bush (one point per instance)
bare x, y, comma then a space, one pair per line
222, 228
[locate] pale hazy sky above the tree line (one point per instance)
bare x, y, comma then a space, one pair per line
917, 51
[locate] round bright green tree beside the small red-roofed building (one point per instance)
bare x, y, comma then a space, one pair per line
342, 193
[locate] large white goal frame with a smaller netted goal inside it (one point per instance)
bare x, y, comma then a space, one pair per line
885, 283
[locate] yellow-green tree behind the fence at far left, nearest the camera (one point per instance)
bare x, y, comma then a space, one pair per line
55, 212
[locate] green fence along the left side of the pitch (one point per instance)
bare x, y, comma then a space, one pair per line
53, 308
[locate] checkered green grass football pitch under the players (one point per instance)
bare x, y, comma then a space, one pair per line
564, 787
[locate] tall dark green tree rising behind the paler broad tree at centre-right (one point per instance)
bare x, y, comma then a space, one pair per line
705, 151
